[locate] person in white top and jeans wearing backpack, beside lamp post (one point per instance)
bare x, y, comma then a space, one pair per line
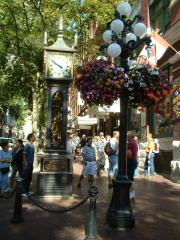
113, 157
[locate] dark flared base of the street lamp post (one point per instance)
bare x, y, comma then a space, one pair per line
119, 214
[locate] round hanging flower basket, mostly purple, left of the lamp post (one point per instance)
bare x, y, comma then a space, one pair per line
99, 82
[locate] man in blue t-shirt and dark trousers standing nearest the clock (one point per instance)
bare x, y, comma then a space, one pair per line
28, 160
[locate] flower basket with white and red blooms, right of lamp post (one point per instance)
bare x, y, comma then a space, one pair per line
147, 85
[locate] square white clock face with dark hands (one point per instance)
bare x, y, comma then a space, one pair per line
59, 65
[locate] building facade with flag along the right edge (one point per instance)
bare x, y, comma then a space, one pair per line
163, 120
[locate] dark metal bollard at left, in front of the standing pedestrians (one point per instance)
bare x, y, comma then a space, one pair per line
17, 217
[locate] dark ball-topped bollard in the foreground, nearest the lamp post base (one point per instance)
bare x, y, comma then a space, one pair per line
91, 228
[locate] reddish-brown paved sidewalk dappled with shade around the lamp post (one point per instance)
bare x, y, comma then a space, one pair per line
156, 211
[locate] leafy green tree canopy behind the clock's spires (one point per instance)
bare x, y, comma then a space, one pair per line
22, 27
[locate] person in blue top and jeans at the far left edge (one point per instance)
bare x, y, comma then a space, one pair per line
5, 160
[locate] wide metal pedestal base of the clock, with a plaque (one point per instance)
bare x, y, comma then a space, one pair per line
55, 178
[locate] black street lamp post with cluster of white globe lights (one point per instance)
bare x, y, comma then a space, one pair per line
122, 38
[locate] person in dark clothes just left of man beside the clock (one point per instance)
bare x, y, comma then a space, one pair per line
17, 161
